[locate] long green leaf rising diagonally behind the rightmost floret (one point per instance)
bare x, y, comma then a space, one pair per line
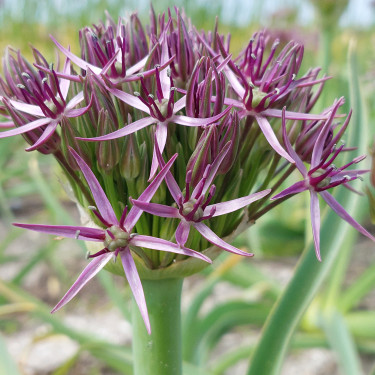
310, 274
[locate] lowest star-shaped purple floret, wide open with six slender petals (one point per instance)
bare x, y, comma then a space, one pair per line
116, 237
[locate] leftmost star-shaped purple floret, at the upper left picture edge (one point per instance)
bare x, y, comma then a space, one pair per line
49, 104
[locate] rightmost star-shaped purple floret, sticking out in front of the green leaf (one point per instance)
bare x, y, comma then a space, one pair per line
322, 176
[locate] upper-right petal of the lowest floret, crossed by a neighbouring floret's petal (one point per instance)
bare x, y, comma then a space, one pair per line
135, 212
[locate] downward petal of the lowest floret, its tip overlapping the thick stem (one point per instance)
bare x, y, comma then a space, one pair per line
135, 284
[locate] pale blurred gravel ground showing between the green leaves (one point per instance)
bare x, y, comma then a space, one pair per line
38, 353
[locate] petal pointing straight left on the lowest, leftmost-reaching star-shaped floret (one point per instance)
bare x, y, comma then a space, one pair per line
80, 233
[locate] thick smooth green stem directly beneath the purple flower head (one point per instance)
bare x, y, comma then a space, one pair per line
160, 352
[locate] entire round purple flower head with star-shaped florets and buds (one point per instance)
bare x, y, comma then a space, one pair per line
232, 129
